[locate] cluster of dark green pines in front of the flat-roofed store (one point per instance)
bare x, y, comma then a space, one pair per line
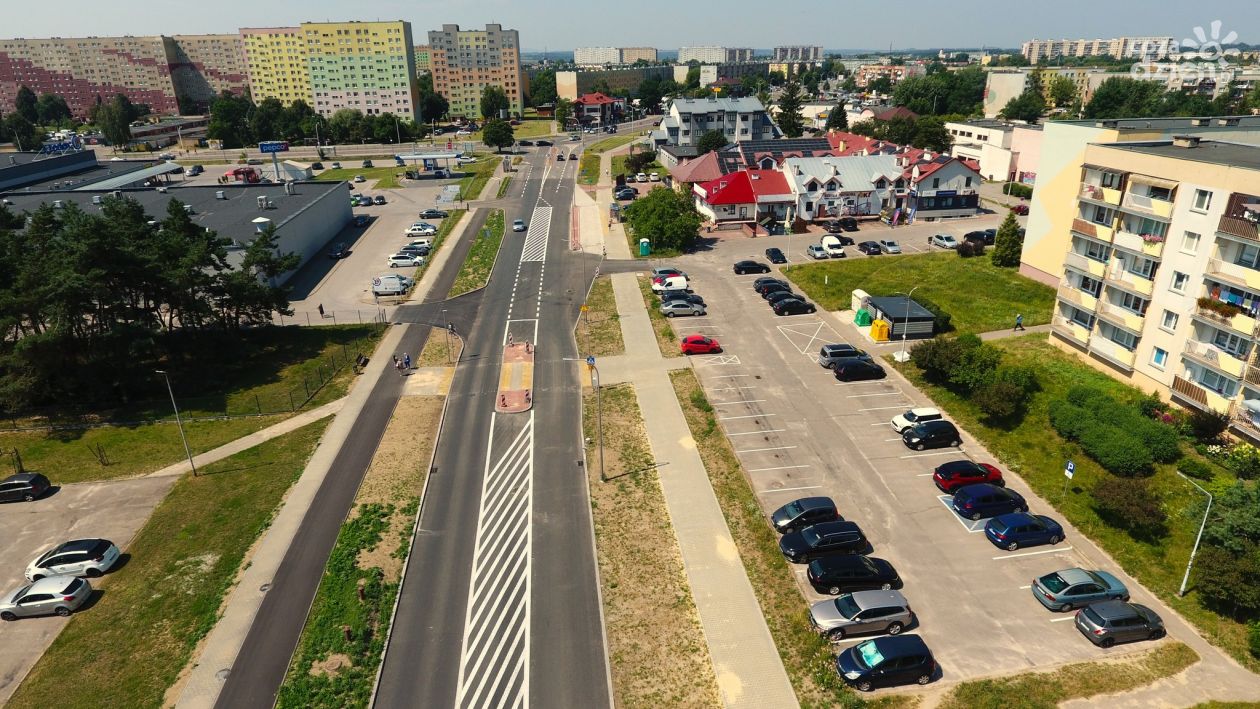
93, 303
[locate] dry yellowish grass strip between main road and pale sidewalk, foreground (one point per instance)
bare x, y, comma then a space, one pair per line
656, 644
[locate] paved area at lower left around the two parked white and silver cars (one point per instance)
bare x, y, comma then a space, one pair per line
112, 511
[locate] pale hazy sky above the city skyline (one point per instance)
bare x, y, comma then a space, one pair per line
668, 25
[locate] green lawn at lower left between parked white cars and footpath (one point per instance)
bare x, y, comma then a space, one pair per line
129, 647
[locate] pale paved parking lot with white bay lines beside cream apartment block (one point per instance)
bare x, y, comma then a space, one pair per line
799, 433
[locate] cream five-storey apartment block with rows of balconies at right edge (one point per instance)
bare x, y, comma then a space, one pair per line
1161, 278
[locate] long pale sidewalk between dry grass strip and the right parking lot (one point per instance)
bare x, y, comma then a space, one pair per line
750, 674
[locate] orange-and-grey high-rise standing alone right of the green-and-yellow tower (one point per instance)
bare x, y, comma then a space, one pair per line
468, 61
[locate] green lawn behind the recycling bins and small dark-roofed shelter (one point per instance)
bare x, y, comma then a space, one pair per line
978, 295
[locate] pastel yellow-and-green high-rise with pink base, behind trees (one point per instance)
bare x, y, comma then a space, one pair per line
370, 67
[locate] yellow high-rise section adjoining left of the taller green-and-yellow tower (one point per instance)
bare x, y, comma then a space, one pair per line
277, 60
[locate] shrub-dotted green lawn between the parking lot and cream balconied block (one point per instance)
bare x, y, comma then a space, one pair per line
1038, 454
